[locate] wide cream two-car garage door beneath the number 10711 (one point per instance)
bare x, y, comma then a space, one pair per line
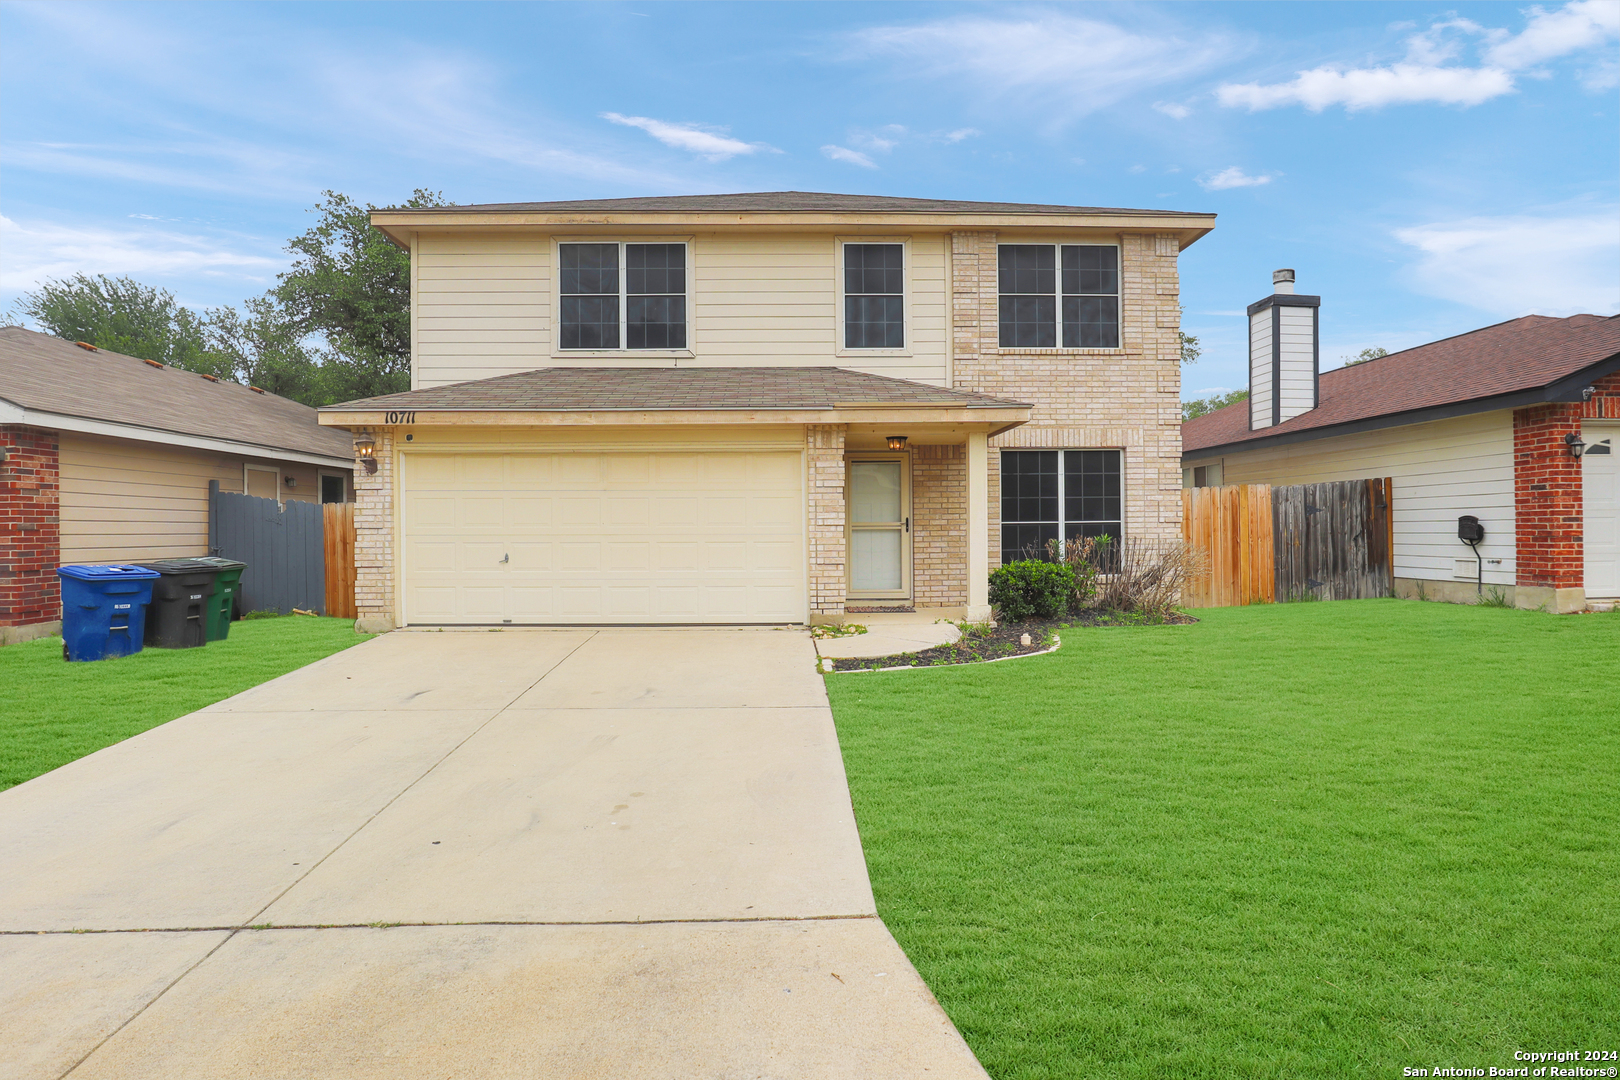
603, 537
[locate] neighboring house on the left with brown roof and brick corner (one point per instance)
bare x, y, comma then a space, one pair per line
108, 459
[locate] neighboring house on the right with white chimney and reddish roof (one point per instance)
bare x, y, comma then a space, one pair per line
1516, 425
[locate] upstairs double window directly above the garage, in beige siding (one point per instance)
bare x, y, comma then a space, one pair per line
623, 296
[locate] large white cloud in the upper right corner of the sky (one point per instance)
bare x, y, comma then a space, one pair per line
1426, 75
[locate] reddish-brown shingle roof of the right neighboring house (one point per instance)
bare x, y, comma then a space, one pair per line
1506, 359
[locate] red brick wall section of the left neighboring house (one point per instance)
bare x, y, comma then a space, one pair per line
30, 527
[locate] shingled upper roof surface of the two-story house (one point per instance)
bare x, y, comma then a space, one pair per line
778, 203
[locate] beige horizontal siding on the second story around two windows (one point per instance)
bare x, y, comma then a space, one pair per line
484, 308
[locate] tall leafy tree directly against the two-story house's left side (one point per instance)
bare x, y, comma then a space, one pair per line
351, 289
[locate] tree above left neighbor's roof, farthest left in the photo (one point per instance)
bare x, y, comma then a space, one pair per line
122, 317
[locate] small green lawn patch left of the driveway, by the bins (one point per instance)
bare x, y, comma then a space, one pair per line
53, 712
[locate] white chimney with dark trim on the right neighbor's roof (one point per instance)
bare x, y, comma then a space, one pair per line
1285, 347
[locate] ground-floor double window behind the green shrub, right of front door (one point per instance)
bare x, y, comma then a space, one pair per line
1057, 495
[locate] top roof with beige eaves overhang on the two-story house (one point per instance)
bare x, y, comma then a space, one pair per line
782, 211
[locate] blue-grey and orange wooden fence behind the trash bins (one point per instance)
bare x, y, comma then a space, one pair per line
299, 555
